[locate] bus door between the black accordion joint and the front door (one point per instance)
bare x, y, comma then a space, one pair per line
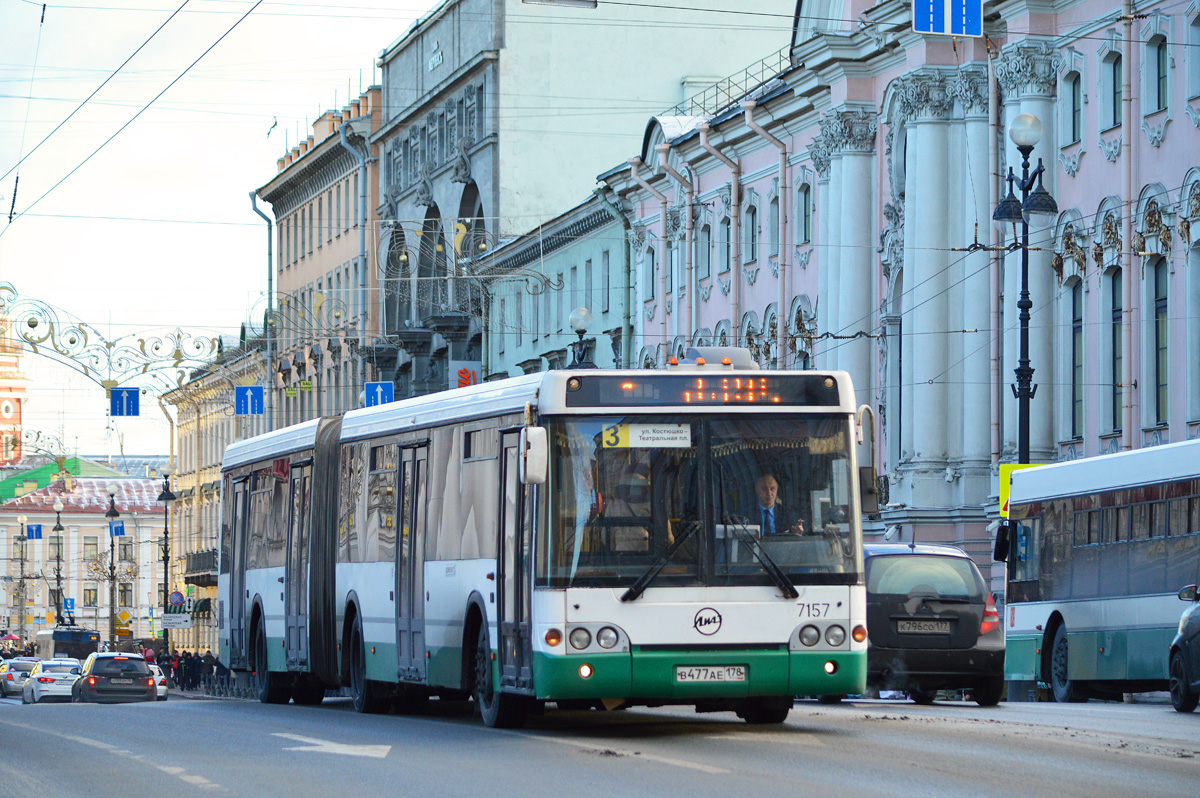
411, 565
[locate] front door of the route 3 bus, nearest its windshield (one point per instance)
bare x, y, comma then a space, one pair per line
514, 580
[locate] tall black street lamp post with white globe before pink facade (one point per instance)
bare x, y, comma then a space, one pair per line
1036, 202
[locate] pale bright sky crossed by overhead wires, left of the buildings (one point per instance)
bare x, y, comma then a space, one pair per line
141, 231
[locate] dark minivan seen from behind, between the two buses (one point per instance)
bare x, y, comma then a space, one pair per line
932, 625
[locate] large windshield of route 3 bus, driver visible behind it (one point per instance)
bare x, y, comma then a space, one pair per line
723, 499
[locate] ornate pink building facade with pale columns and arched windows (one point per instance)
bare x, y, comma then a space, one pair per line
839, 217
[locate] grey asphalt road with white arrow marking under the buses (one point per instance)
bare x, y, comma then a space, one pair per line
206, 747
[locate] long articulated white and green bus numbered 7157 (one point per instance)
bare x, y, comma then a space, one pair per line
590, 539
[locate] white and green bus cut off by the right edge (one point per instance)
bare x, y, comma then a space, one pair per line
1102, 548
